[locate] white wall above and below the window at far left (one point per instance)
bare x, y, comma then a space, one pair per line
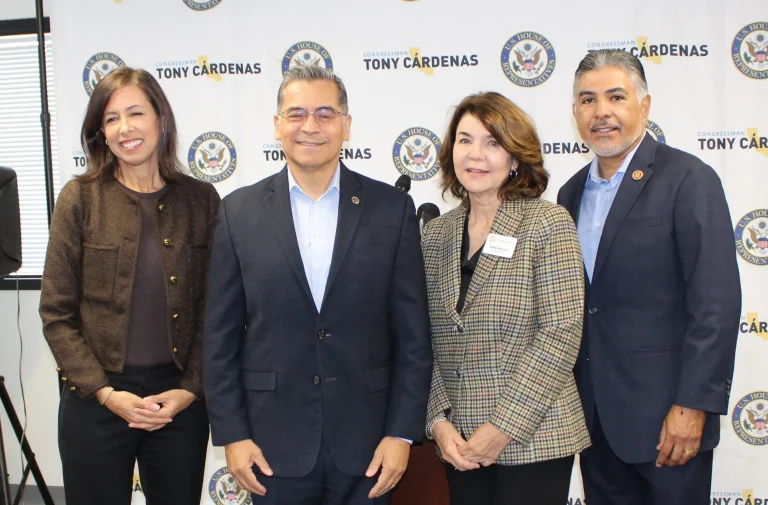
38, 366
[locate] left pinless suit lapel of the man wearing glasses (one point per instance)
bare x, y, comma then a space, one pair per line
279, 202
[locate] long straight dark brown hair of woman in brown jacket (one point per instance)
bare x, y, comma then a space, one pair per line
100, 160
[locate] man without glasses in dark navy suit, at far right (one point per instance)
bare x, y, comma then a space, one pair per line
662, 302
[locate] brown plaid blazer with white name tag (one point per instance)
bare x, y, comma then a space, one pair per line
508, 357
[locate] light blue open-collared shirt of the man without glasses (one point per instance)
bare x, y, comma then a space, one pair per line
595, 205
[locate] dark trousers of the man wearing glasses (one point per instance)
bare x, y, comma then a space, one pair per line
326, 484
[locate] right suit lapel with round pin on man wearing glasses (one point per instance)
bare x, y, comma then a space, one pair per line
351, 204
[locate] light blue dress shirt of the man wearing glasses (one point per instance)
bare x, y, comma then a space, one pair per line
315, 225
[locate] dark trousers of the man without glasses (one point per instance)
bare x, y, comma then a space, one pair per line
610, 481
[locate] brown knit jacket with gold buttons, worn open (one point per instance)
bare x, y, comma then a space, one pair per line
90, 265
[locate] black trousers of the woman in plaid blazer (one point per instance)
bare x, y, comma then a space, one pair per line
542, 483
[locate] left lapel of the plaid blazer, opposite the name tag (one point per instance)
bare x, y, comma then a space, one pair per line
450, 263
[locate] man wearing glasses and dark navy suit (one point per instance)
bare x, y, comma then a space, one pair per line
317, 357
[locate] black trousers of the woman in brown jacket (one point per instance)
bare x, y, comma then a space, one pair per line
98, 449
